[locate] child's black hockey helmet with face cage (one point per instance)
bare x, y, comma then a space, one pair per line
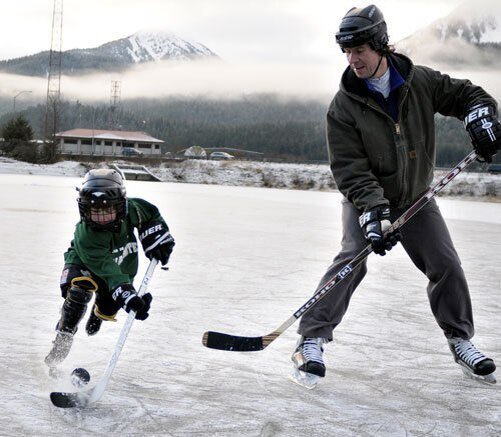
101, 201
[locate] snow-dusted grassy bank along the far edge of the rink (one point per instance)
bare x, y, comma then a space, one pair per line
258, 174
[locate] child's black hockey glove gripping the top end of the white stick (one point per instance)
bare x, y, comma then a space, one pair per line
157, 241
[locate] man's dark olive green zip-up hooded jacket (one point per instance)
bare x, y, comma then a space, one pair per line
377, 161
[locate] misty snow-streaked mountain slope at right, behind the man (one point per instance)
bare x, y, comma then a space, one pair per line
469, 37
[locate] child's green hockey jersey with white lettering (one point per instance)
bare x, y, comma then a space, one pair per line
112, 256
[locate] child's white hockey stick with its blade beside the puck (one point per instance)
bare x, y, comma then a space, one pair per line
84, 398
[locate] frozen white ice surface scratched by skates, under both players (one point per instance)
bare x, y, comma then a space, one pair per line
245, 260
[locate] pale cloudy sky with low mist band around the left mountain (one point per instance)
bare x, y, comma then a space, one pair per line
267, 44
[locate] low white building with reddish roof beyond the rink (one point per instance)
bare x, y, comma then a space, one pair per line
106, 142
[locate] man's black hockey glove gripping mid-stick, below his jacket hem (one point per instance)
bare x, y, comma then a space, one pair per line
374, 223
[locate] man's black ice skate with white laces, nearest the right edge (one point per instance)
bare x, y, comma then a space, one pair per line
474, 364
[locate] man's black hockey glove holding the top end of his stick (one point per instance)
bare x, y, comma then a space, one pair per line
484, 129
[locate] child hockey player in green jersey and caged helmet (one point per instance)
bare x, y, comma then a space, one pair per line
103, 257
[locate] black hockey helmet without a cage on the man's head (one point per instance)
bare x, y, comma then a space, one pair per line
363, 26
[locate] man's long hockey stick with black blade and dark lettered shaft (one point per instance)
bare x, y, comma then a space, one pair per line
221, 341
